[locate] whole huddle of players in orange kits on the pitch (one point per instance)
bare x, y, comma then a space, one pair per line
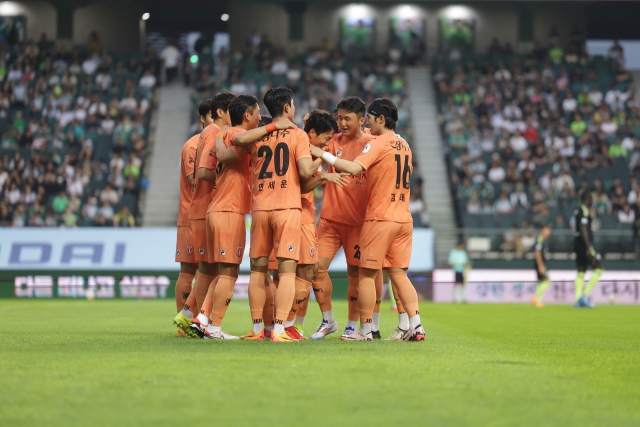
242, 163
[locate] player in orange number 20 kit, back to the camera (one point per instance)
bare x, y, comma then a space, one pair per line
279, 159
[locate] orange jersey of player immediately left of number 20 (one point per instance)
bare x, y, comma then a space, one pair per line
233, 186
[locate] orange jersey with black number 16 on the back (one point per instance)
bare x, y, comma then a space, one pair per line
388, 161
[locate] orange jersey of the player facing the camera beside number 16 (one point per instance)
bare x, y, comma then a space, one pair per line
346, 205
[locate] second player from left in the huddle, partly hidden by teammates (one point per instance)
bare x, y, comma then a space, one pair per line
205, 164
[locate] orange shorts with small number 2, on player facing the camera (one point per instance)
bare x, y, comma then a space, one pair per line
332, 235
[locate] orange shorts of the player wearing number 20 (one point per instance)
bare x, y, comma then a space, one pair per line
278, 231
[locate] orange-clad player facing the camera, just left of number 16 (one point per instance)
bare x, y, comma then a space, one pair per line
342, 216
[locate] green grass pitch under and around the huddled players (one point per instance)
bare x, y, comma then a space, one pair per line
118, 363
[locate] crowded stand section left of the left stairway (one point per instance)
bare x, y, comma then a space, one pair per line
74, 129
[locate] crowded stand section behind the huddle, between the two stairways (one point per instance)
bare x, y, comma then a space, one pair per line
319, 78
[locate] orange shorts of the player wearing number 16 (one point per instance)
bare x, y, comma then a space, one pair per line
386, 244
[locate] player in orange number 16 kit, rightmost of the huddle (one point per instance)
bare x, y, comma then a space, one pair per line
385, 241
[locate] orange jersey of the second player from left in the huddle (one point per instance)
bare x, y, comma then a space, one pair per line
205, 158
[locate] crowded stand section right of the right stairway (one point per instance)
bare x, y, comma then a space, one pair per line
525, 135
